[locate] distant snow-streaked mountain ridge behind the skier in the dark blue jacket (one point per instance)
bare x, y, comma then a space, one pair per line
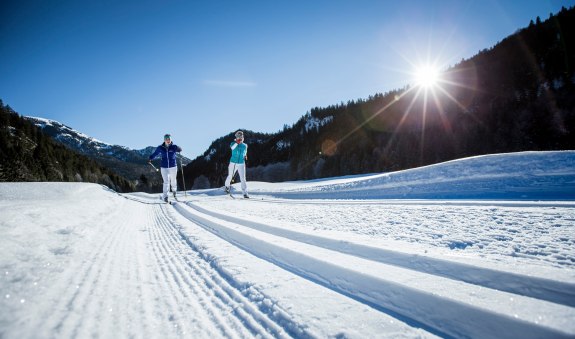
125, 161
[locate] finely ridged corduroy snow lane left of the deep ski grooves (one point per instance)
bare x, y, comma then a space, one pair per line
149, 262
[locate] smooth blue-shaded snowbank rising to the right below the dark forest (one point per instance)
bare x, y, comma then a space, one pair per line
523, 175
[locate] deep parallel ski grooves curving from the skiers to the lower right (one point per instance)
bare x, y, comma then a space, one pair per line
420, 292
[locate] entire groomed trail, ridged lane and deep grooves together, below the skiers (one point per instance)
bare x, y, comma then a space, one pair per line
182, 270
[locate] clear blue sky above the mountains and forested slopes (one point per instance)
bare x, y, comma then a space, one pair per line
127, 72
